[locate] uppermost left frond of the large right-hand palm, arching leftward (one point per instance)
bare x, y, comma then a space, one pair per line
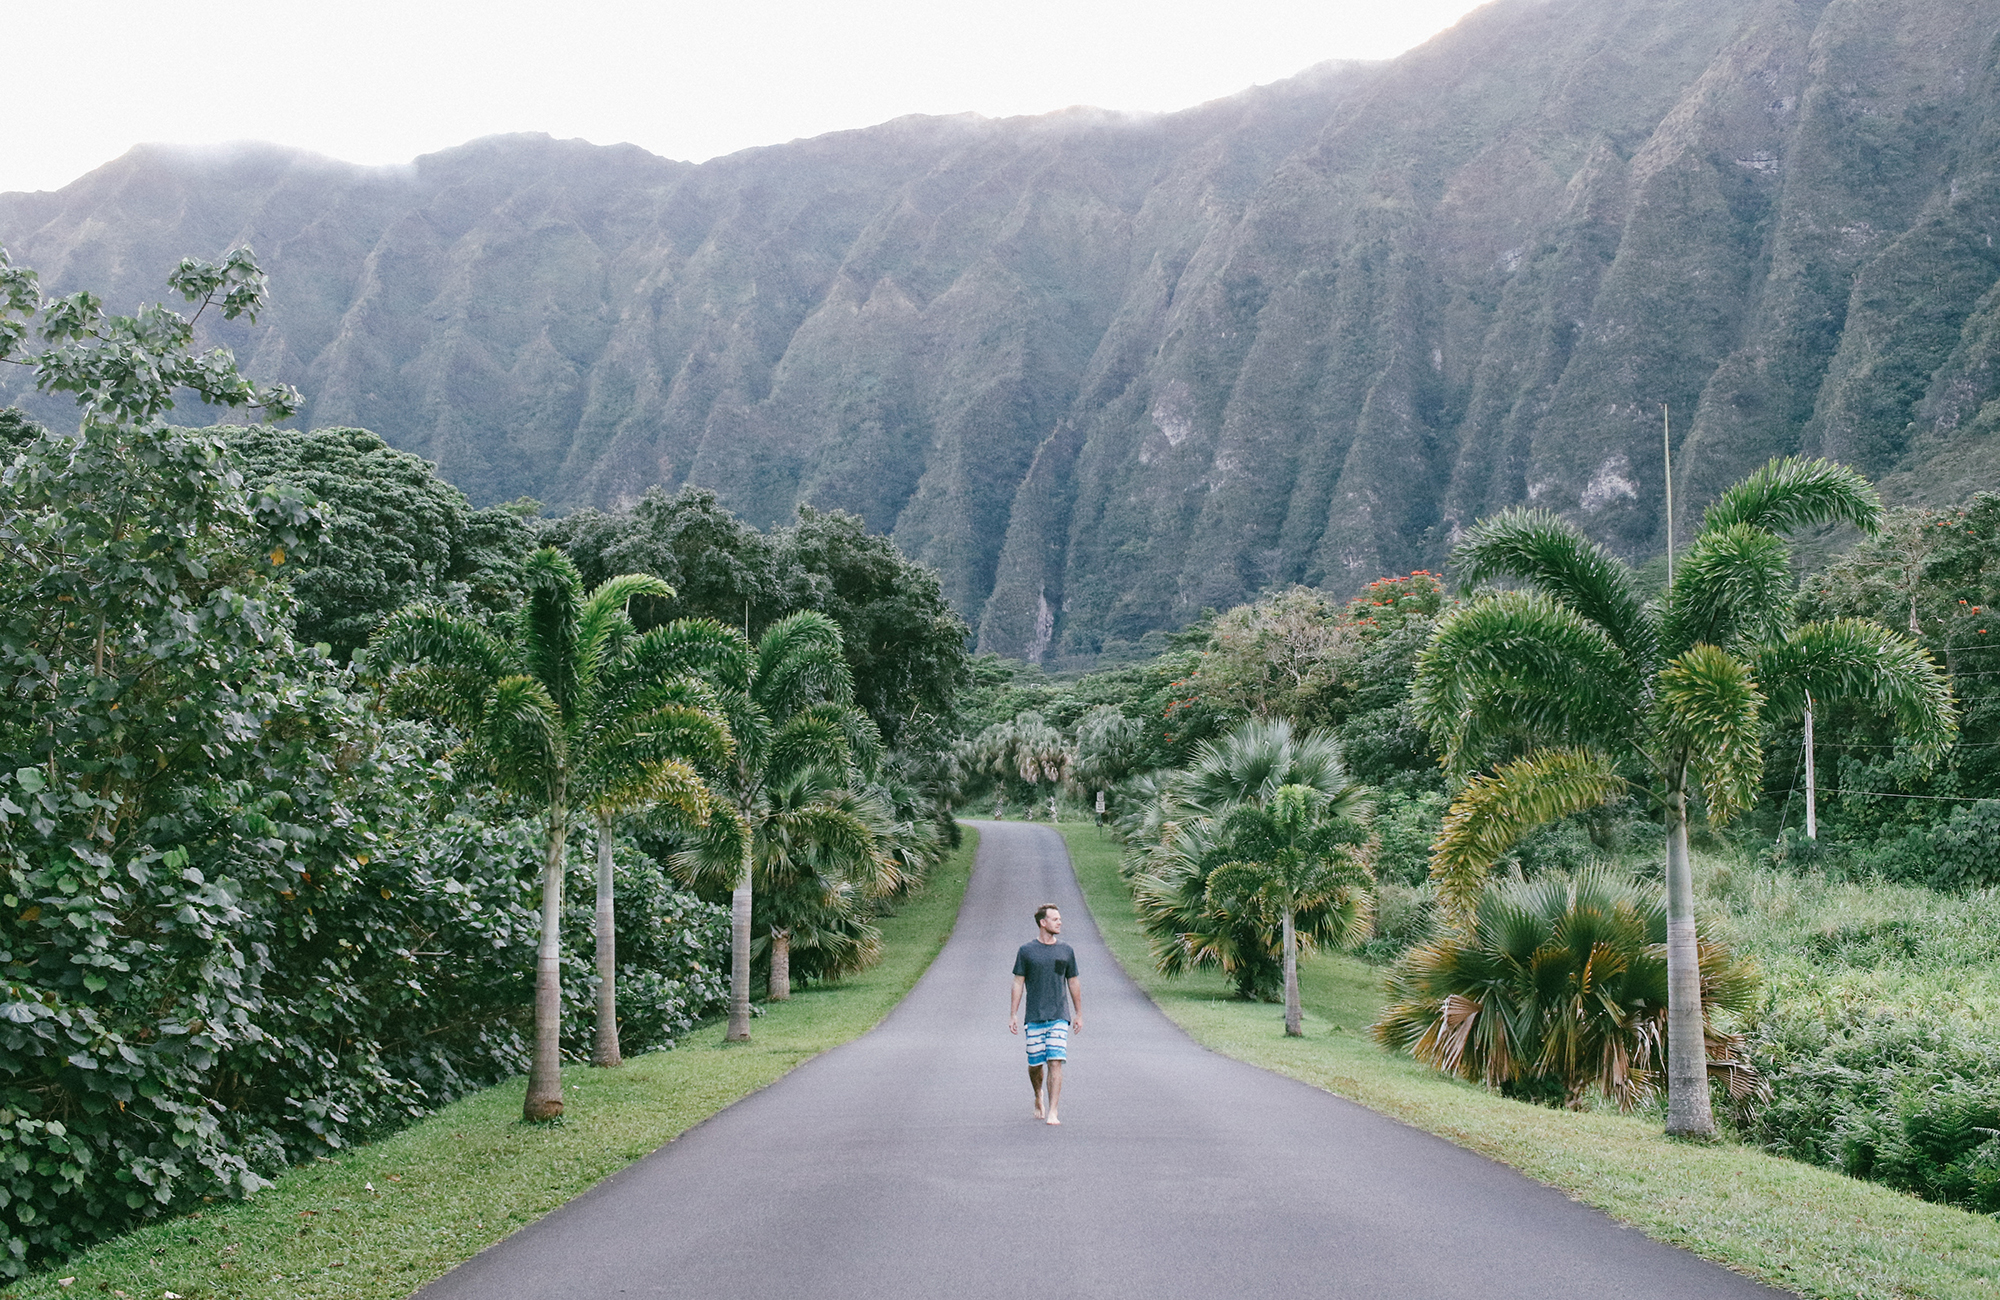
1551, 553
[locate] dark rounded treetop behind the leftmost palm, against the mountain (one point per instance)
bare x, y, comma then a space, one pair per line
395, 533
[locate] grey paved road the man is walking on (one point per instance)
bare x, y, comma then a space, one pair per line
909, 1165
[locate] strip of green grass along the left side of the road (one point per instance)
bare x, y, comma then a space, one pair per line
391, 1217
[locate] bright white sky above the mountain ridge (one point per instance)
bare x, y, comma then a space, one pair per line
385, 81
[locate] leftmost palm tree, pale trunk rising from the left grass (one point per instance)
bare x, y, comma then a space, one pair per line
559, 715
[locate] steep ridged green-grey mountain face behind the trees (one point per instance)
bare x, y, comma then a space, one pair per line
1105, 371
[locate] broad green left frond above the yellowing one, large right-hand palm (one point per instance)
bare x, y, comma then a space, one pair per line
1529, 667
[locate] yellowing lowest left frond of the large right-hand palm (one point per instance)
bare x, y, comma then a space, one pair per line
1497, 811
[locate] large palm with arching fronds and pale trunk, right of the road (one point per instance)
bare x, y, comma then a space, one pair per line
1579, 693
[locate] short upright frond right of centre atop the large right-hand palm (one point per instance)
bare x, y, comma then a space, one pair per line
1733, 589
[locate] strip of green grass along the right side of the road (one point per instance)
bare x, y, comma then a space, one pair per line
1793, 1225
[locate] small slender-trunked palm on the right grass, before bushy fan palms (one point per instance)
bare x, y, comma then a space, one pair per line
1285, 857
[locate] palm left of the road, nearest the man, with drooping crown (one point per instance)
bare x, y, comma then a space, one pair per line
791, 709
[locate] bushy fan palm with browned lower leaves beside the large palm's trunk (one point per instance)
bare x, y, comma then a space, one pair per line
1559, 985
